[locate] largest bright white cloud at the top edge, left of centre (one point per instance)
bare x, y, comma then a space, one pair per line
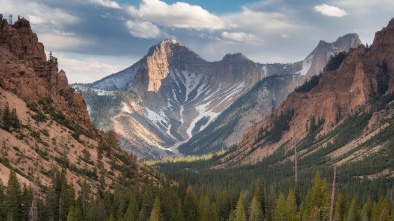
177, 15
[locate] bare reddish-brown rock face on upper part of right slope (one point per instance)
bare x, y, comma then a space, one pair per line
360, 77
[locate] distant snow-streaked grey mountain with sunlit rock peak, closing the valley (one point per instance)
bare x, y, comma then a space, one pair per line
172, 94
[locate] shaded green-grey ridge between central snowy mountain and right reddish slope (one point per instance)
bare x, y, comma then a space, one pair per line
264, 98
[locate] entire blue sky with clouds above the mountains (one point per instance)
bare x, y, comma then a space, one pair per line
95, 38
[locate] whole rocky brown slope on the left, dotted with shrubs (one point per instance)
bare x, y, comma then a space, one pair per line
45, 127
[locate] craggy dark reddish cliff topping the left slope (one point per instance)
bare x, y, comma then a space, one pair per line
25, 71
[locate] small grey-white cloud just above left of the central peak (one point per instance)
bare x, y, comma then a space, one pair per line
143, 29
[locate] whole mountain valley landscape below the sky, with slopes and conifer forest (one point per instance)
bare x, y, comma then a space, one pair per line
310, 140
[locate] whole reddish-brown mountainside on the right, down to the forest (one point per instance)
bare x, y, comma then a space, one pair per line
343, 117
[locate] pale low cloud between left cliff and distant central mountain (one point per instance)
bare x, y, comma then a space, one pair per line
86, 70
